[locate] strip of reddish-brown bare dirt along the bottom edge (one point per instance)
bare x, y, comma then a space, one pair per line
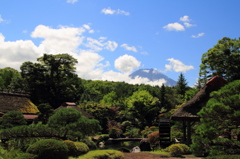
146, 155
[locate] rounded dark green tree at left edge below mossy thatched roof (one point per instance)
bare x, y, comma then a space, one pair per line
12, 119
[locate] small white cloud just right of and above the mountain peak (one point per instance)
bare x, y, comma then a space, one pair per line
177, 66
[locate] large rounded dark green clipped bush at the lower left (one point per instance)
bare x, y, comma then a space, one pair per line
49, 149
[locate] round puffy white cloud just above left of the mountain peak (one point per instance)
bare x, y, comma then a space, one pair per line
126, 63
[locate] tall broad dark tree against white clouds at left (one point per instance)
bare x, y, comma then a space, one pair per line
52, 80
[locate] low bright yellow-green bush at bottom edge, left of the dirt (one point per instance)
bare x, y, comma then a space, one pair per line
103, 154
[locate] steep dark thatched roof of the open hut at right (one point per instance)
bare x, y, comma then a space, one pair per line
189, 110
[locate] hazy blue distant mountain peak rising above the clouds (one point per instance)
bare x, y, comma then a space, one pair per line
153, 75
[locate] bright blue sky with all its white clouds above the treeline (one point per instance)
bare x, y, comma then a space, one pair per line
112, 38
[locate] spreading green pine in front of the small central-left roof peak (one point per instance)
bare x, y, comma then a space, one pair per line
71, 124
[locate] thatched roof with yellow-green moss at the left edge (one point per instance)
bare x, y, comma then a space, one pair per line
16, 102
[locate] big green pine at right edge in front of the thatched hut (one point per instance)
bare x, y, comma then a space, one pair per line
220, 121
